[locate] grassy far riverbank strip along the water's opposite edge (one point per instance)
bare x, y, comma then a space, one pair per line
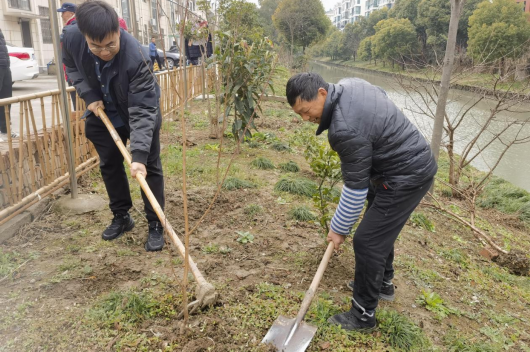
472, 82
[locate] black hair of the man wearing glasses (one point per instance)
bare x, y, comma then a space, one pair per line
96, 19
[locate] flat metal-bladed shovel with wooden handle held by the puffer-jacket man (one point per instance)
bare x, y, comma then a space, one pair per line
293, 335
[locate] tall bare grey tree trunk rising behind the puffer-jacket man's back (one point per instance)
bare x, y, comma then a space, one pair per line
456, 11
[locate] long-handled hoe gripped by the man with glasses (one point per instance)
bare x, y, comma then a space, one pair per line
205, 292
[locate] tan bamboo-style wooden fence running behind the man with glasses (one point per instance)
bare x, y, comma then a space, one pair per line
34, 164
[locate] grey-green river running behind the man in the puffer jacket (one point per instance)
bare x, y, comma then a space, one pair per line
514, 166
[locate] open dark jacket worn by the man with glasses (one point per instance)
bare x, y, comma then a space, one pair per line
134, 89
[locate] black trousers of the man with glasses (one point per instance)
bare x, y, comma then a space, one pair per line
113, 170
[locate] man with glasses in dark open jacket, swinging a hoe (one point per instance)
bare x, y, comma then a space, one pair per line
110, 70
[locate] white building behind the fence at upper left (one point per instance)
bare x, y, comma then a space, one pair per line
26, 23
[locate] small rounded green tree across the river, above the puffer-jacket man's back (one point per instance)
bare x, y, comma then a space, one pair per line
393, 39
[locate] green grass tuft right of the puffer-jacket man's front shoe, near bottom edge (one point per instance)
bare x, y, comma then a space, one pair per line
400, 332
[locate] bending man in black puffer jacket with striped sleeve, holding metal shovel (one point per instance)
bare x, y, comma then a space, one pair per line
384, 159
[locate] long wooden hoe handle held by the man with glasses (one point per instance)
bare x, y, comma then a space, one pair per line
151, 197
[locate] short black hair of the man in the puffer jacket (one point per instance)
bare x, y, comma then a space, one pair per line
304, 86
